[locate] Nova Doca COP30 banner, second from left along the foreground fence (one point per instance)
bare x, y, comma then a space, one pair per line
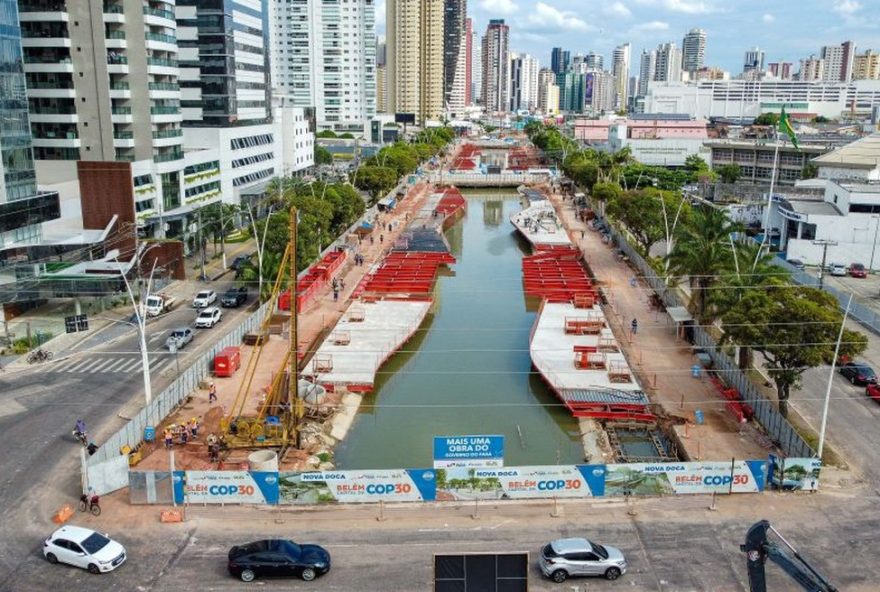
391, 485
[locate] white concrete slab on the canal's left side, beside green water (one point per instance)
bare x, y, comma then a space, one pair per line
386, 326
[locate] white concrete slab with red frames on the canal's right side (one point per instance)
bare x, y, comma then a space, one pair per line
552, 350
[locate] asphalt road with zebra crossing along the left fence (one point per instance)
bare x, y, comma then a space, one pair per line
39, 464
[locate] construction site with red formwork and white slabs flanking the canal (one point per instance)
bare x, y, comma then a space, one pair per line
363, 301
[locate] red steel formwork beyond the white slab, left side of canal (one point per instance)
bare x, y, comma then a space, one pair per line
406, 272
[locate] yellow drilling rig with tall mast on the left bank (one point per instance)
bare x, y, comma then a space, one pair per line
276, 417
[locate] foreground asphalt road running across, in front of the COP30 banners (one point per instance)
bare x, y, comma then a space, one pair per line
670, 544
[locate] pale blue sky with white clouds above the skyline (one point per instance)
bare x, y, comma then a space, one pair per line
786, 29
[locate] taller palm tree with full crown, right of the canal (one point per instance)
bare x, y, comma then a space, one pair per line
703, 252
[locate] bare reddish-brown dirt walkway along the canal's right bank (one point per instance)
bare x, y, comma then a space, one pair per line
660, 359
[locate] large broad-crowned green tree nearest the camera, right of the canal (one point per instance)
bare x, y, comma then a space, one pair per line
793, 328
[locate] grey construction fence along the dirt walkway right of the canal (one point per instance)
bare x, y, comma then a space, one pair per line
777, 427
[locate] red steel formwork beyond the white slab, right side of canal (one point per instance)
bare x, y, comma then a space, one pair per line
556, 275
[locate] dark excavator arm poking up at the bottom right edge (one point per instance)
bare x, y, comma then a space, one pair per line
759, 549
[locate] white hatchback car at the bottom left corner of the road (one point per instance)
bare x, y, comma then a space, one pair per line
85, 548
